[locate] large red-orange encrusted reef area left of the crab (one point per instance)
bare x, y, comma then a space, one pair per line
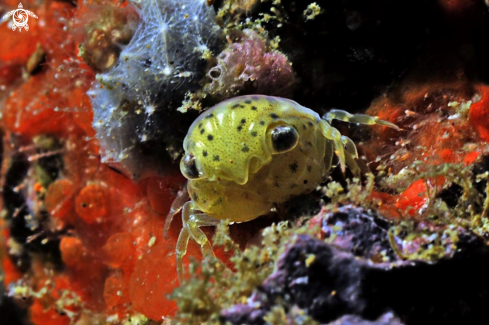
66, 217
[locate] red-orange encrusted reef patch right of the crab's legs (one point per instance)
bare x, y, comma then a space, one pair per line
419, 166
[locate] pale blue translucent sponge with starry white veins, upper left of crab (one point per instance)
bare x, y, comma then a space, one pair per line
134, 103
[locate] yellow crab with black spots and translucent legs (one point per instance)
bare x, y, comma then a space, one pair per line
247, 154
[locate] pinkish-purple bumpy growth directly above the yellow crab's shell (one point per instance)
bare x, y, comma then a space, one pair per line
249, 59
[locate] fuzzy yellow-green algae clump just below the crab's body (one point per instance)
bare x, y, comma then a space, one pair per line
202, 297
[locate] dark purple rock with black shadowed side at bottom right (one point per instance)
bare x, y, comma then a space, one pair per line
328, 283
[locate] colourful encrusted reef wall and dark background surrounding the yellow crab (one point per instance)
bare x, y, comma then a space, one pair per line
98, 95
